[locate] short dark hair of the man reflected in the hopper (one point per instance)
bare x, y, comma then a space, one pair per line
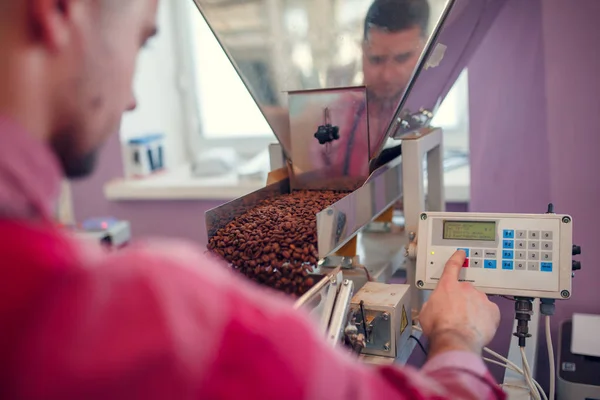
397, 15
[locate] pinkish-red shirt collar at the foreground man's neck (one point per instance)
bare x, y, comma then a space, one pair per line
30, 175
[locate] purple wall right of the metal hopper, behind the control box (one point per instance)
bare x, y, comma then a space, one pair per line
535, 102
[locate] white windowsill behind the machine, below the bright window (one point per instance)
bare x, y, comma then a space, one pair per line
181, 185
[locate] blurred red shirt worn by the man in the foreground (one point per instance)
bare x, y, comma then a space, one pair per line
162, 320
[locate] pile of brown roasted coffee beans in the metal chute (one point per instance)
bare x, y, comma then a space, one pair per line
275, 243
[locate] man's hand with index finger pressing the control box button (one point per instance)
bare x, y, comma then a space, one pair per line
458, 316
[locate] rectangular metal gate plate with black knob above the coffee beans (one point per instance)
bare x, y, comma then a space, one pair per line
329, 139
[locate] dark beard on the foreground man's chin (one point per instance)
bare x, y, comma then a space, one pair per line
74, 166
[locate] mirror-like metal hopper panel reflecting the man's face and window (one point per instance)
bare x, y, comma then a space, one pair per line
278, 46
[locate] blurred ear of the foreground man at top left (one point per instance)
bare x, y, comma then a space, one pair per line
51, 21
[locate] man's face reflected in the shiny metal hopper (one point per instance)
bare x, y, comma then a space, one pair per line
389, 59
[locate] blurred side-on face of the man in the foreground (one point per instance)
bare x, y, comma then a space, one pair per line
95, 82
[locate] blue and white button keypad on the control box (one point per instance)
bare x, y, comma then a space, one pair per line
522, 250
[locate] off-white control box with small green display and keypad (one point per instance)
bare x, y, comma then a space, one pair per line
526, 255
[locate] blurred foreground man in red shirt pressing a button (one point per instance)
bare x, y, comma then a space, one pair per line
158, 320
